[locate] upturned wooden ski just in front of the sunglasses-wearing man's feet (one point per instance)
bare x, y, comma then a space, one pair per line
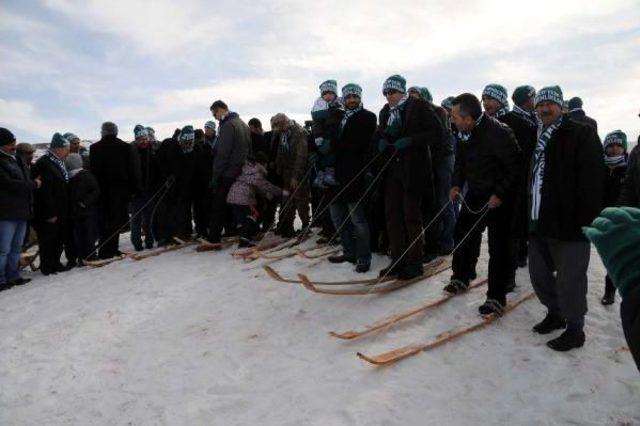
375, 288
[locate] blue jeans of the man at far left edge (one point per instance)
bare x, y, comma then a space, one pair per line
11, 238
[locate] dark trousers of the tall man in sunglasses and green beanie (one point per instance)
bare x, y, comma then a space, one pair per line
404, 220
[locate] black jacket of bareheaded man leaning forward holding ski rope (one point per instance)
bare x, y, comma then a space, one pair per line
489, 162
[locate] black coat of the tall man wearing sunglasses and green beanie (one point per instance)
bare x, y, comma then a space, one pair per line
421, 123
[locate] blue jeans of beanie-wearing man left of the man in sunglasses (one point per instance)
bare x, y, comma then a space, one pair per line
355, 231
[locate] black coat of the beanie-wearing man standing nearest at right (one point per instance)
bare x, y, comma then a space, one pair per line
573, 183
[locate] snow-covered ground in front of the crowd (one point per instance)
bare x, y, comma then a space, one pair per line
194, 338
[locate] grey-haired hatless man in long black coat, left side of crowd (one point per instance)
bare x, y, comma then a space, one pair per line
116, 167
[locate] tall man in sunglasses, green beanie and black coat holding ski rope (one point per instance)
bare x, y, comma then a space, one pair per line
407, 128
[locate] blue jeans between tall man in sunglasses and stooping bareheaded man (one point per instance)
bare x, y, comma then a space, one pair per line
443, 171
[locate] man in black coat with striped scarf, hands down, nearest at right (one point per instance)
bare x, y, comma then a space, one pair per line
567, 189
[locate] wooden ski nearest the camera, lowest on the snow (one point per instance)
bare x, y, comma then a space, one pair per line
406, 351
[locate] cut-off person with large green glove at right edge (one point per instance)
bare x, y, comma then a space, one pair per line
616, 236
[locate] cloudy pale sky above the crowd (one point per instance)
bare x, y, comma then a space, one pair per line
69, 65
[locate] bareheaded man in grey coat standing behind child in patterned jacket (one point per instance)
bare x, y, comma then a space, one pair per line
230, 150
